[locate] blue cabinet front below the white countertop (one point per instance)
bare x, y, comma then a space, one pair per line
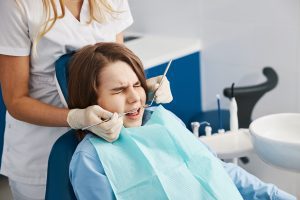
184, 76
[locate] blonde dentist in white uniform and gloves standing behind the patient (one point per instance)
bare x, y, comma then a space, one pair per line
34, 34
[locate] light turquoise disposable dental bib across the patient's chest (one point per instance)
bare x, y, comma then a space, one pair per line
162, 160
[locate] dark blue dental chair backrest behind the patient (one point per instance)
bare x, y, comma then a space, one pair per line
58, 183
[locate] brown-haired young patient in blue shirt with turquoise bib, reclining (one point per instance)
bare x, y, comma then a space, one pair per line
155, 156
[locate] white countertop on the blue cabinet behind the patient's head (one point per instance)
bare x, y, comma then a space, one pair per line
155, 50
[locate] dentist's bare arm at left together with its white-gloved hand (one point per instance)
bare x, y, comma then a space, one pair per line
14, 77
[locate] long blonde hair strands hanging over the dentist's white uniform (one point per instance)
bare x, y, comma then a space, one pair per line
100, 11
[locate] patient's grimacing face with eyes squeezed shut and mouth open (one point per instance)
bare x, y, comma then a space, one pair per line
120, 91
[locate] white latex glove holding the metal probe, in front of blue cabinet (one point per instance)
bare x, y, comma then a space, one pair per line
163, 94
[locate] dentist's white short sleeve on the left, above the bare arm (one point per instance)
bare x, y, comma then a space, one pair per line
14, 34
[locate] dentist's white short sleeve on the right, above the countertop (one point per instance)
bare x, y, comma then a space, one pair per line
123, 19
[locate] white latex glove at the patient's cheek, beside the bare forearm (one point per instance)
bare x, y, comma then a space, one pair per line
110, 130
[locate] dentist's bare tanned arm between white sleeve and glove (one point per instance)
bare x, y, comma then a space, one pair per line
14, 77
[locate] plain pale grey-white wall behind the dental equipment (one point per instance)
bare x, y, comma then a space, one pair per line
238, 38
